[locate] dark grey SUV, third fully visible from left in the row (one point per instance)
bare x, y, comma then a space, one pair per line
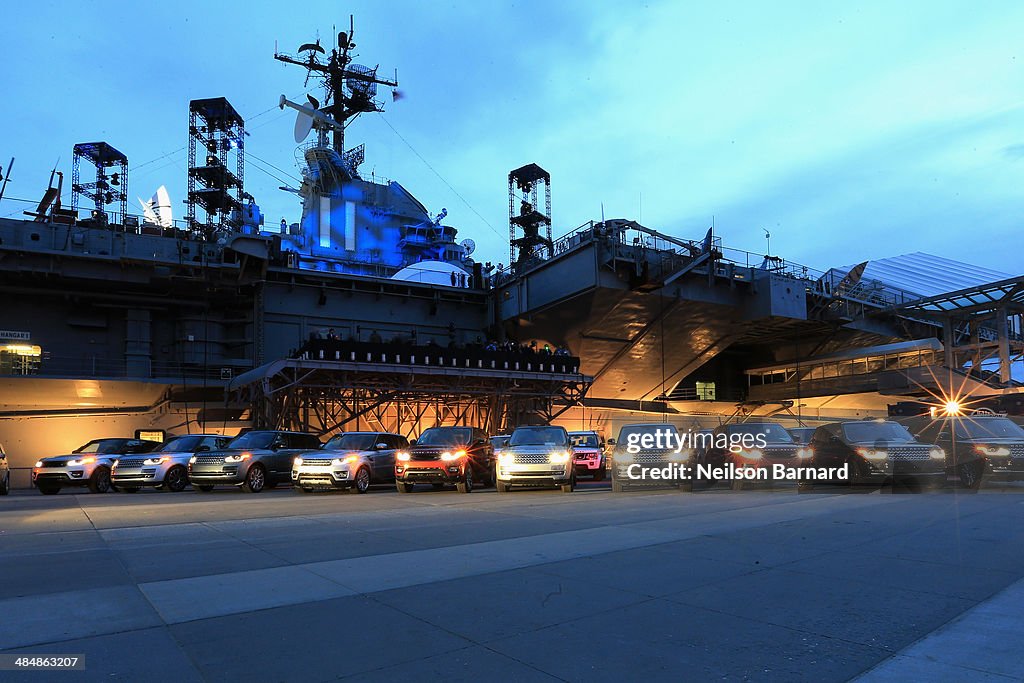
253, 461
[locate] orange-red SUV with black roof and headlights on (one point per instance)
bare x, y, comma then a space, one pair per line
442, 456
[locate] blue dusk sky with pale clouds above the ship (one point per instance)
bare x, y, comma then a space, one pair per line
849, 131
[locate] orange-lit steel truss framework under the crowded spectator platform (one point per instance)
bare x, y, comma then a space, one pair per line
325, 397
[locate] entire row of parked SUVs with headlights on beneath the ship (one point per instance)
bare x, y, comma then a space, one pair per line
970, 449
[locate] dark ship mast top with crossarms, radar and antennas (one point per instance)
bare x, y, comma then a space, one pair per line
351, 89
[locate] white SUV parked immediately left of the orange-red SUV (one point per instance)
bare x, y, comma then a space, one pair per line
351, 461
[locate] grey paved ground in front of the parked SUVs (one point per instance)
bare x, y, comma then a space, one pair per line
659, 585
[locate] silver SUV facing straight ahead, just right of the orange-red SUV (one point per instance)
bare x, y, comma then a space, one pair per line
537, 457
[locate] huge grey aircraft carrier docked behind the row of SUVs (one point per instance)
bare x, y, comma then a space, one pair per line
371, 312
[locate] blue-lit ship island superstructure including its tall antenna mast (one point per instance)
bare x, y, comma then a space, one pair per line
350, 224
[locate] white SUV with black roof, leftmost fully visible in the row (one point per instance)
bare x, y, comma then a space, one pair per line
89, 465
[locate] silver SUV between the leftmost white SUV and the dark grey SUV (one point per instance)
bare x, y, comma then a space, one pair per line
167, 467
